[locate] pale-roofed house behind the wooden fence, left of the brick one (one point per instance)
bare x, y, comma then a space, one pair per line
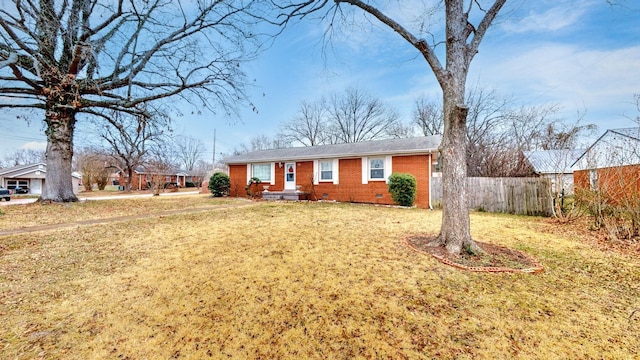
556, 165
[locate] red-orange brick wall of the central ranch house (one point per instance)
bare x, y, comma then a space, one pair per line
350, 187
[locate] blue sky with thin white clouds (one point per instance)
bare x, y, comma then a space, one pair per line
582, 55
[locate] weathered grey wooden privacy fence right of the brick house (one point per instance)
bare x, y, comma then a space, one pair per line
523, 196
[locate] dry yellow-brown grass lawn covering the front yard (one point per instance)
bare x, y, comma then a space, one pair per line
304, 280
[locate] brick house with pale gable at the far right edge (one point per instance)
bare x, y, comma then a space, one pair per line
611, 164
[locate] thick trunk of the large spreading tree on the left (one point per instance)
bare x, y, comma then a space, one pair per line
58, 185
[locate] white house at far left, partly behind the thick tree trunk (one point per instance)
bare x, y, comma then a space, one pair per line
31, 176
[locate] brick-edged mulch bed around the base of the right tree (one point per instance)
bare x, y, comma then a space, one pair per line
495, 259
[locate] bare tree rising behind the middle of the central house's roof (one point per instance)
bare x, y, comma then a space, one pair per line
356, 116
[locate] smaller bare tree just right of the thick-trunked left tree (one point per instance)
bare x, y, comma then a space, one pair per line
128, 139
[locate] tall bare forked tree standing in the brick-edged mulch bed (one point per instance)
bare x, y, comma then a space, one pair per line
461, 40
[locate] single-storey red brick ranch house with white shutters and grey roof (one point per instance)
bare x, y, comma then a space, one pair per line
353, 172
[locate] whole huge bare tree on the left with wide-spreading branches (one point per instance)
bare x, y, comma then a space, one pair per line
68, 57
